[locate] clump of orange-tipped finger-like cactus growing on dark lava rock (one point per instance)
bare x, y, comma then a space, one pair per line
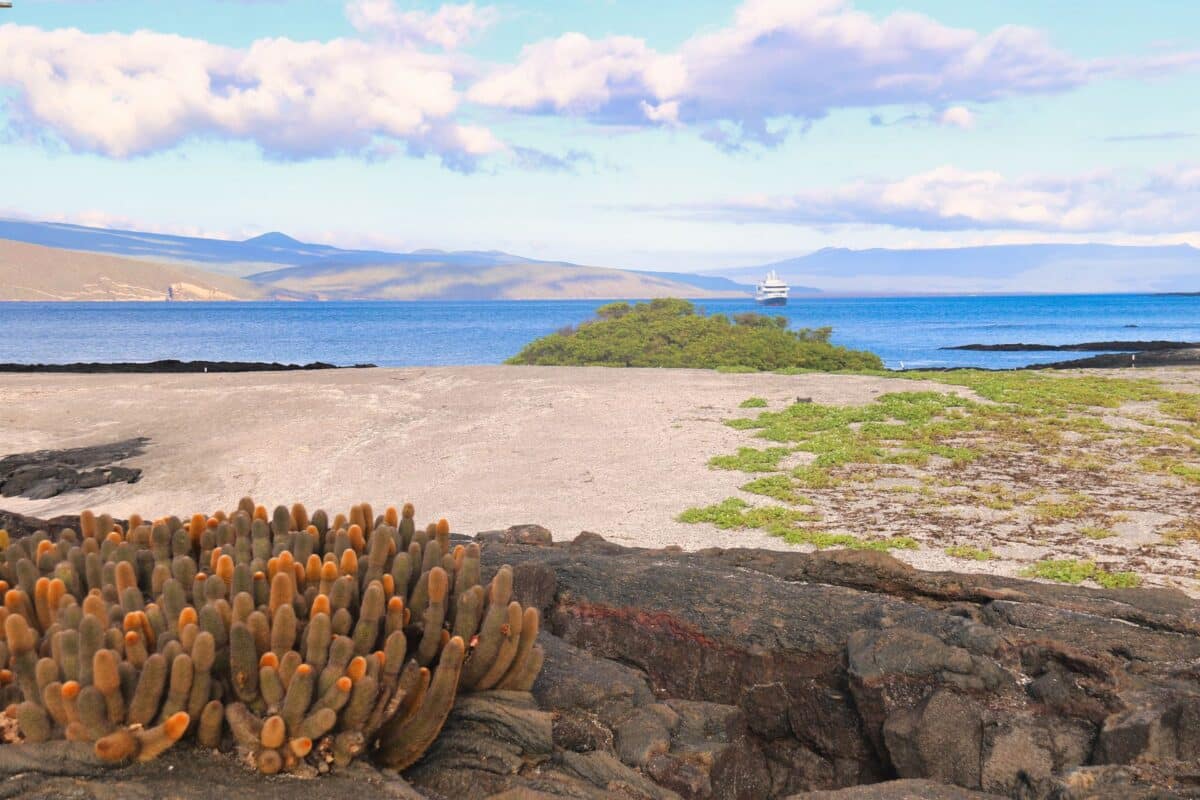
299, 641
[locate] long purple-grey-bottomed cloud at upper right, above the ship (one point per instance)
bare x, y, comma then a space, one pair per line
793, 59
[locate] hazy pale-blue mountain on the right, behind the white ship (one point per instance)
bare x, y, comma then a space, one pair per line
994, 269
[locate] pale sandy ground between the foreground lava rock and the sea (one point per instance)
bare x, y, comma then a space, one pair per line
620, 453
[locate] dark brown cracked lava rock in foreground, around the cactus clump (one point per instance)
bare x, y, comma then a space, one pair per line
748, 673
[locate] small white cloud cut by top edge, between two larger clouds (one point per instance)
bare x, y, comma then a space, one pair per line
451, 27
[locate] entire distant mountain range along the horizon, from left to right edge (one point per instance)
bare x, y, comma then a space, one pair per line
65, 262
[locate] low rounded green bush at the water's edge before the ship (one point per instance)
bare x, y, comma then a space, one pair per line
673, 334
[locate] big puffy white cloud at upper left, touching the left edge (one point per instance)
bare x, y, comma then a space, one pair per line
131, 94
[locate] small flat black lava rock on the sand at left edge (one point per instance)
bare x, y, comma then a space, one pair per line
49, 473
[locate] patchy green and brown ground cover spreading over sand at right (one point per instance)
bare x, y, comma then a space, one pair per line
1081, 478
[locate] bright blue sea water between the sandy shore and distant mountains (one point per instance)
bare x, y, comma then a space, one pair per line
904, 332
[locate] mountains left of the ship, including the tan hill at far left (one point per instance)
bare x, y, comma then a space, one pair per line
278, 267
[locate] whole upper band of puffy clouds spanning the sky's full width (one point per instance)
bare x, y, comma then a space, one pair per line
403, 85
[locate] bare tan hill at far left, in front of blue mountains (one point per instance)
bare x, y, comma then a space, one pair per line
37, 273
